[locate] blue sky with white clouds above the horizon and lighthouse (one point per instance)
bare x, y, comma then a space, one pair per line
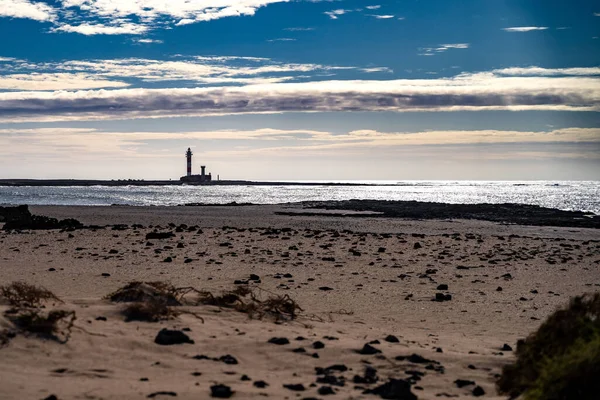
300, 89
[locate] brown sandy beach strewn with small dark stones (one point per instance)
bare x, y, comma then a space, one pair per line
358, 278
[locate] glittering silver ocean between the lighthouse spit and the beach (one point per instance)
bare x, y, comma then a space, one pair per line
564, 195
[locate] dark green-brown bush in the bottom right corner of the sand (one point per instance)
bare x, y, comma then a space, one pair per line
561, 360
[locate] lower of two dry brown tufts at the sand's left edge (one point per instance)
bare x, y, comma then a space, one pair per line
56, 324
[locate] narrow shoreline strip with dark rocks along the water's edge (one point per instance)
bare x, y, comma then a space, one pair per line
512, 214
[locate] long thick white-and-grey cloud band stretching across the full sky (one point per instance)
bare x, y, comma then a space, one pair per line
466, 92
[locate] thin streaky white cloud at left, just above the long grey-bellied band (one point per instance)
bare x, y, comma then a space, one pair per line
198, 70
